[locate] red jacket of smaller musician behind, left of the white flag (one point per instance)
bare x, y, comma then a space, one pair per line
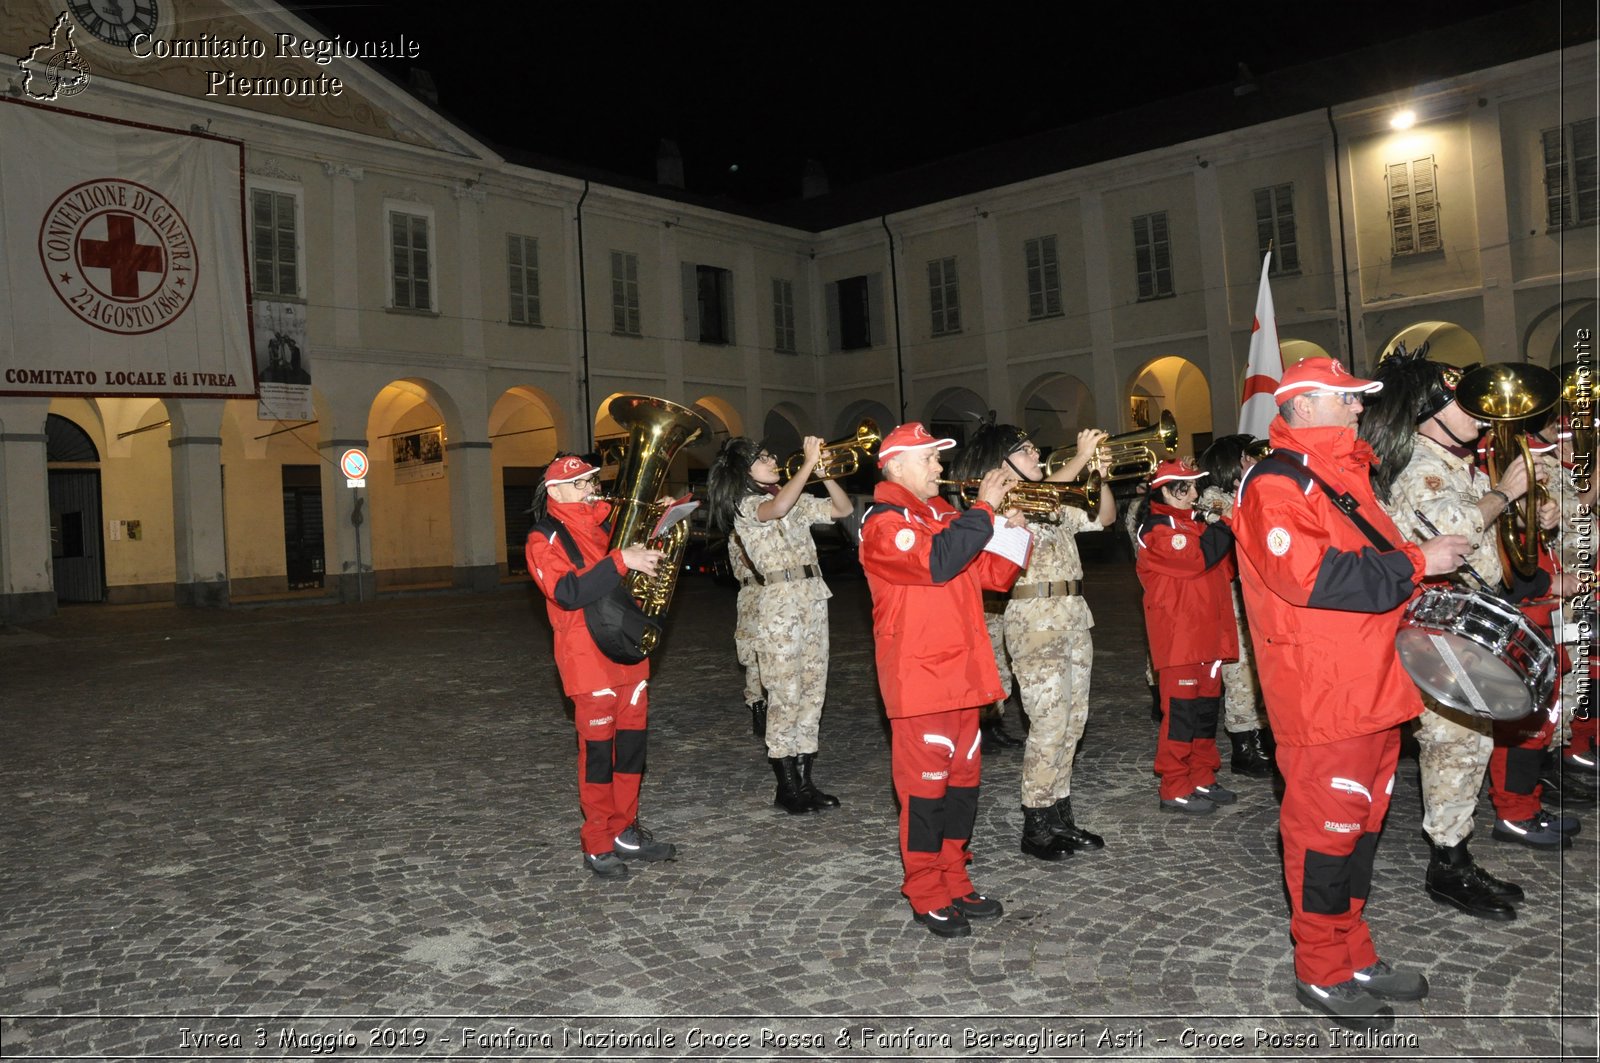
1186, 568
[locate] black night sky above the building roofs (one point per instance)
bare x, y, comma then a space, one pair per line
753, 90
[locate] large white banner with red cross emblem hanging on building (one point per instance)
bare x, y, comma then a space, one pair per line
124, 260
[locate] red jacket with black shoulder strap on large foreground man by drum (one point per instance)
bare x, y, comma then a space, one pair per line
1324, 603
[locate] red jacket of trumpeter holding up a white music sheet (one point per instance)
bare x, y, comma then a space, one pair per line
927, 572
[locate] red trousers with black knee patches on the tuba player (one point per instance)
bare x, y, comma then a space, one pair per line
610, 761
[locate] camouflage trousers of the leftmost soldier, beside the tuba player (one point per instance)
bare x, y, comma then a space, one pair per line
793, 657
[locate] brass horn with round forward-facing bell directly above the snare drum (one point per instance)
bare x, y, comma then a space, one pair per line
1505, 395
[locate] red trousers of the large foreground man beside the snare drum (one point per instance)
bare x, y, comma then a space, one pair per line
1335, 800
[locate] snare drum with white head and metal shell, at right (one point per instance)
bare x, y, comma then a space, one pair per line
1478, 654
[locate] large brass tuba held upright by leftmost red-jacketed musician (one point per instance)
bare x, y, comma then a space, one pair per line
657, 431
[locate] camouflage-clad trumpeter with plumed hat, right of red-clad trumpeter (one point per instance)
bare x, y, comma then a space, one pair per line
1047, 633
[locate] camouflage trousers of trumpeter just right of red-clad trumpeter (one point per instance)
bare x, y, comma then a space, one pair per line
1052, 668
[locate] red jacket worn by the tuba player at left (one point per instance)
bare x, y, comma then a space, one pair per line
569, 588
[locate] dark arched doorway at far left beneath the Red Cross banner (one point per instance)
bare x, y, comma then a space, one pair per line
78, 555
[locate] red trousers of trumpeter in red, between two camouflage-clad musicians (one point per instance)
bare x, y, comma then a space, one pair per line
937, 768
